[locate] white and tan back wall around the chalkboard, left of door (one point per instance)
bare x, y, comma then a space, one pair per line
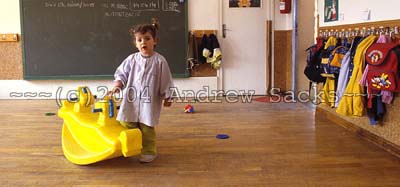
202, 15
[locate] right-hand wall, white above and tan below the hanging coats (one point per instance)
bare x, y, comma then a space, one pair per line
389, 128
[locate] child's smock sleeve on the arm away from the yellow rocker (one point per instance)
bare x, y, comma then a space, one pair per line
166, 81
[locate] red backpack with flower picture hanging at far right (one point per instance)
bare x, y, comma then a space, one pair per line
383, 73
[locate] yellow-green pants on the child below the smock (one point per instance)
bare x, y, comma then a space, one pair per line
148, 136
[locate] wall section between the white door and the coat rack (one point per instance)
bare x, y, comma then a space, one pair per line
283, 45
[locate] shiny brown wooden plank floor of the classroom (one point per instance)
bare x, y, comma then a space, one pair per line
269, 145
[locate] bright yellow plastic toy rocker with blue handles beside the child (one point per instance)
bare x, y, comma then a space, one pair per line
91, 132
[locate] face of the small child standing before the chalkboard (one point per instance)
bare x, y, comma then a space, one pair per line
145, 43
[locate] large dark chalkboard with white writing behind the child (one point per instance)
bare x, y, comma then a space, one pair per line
77, 39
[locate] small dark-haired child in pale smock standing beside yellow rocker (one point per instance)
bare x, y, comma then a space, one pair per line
146, 80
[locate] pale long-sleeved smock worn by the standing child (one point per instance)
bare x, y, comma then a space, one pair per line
146, 82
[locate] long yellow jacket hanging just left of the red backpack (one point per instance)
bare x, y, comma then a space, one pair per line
352, 102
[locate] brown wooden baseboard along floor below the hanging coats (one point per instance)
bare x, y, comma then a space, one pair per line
373, 138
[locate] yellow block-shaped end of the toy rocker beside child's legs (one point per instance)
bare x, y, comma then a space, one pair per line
131, 142
